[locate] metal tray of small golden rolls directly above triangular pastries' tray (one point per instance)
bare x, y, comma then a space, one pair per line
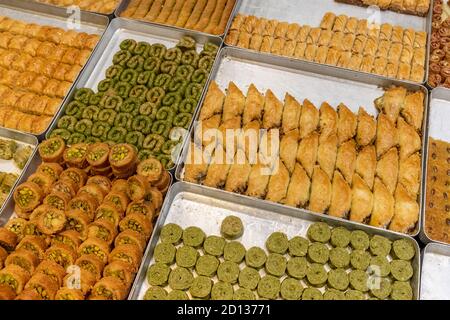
306, 12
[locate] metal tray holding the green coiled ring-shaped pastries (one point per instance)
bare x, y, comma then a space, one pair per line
119, 30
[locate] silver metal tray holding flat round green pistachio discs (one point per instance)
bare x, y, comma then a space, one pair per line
192, 205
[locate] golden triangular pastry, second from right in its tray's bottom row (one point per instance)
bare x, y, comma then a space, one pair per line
383, 205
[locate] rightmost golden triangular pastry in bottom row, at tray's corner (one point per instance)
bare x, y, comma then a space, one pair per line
406, 213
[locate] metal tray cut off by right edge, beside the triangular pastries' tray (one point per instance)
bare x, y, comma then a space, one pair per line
439, 115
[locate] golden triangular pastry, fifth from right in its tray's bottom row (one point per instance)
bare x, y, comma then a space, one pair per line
321, 191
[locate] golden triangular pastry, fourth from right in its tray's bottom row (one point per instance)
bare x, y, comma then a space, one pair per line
341, 198
